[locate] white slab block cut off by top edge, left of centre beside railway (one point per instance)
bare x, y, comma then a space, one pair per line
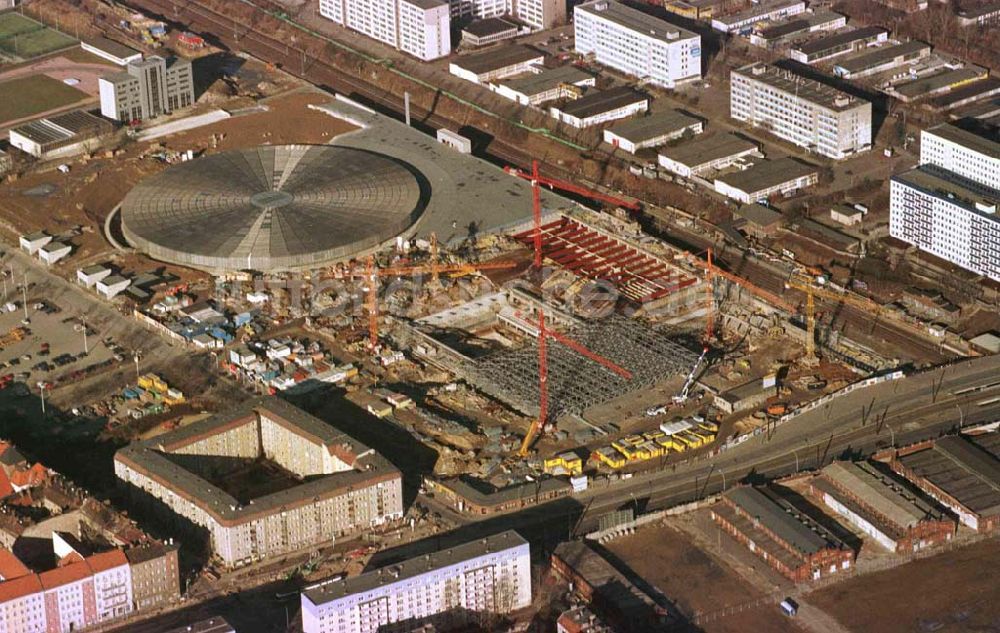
421, 28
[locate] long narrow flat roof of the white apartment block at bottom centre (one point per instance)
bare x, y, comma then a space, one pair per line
323, 593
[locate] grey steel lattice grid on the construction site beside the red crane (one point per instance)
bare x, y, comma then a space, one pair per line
577, 383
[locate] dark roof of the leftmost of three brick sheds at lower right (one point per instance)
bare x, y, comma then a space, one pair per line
784, 520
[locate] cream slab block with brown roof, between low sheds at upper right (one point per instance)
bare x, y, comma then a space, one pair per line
805, 112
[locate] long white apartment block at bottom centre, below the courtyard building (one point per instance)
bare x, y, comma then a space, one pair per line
444, 589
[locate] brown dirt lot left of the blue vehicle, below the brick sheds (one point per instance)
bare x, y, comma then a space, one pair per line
697, 582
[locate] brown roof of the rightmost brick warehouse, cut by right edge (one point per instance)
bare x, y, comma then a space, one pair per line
963, 470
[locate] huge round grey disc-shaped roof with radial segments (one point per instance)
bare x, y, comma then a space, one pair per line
272, 208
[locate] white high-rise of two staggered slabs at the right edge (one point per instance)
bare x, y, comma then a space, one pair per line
948, 205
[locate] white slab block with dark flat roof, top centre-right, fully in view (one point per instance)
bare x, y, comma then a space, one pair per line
636, 43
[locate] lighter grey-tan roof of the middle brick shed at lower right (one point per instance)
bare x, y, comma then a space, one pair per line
882, 494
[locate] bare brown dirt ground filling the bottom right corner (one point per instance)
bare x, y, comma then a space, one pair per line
953, 592
